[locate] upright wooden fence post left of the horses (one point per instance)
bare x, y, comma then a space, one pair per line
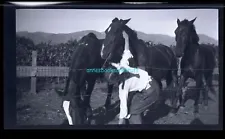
34, 72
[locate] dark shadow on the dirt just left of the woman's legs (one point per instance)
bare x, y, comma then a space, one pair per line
100, 116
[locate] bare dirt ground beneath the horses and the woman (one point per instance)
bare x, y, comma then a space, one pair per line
44, 108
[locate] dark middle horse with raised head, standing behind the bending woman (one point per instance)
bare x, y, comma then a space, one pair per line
159, 60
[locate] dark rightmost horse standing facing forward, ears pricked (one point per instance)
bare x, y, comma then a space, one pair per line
198, 61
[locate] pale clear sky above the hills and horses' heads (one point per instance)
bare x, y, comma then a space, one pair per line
162, 21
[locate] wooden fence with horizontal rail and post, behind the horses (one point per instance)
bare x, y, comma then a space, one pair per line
35, 71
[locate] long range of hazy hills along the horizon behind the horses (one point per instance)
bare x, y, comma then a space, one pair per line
39, 37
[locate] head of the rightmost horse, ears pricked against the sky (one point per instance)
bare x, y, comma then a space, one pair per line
185, 34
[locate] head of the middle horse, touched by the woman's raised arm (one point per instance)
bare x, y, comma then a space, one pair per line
112, 47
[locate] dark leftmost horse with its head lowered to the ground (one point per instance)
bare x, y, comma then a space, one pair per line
85, 56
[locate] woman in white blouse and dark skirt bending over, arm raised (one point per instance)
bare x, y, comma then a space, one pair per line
145, 88
